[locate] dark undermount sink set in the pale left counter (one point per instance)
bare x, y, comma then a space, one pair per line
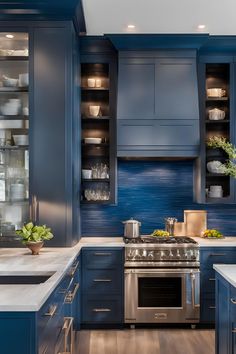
15, 279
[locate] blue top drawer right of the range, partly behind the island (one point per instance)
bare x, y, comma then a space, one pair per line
217, 256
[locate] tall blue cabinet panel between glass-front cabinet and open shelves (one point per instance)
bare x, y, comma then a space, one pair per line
54, 155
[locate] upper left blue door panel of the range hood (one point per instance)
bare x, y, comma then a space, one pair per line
136, 87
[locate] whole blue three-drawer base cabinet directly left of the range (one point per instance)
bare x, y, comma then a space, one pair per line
102, 286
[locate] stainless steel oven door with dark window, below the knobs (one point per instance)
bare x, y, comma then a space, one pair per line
162, 295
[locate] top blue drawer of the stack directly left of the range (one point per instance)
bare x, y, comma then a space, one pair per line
102, 258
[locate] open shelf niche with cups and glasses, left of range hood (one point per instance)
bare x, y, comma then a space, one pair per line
99, 126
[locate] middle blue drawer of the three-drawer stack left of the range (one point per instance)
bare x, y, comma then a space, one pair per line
103, 282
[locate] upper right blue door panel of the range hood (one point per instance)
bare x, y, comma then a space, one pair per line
176, 92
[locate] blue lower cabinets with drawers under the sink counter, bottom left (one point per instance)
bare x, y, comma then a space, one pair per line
49, 330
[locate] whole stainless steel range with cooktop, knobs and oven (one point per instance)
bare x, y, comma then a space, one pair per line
162, 280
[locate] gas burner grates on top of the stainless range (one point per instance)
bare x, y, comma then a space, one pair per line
160, 240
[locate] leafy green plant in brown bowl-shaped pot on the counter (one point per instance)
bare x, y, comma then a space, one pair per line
33, 236
